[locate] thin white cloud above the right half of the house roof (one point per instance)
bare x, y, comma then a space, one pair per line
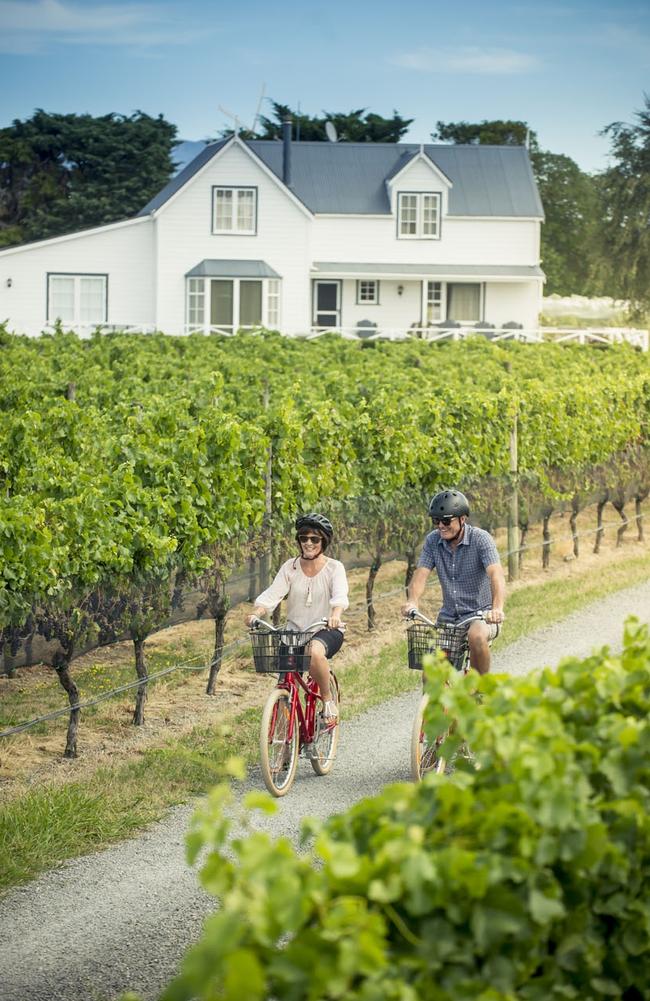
468, 60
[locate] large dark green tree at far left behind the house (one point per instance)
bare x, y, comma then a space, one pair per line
61, 174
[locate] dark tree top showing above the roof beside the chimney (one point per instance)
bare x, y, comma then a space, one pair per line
354, 127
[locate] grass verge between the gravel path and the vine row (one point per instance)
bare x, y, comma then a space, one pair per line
49, 825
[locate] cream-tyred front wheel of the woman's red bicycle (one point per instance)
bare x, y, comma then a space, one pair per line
279, 750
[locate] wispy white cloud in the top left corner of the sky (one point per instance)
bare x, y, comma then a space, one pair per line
29, 27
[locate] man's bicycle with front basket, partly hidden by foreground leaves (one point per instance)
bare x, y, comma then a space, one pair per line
424, 638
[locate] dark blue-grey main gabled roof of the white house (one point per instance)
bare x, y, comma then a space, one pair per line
351, 179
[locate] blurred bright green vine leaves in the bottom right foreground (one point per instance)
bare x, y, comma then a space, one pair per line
526, 879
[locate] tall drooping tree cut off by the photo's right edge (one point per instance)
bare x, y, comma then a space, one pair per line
625, 194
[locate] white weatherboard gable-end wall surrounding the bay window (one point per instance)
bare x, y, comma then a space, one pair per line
185, 239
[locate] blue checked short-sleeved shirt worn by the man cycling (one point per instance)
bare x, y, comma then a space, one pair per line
461, 572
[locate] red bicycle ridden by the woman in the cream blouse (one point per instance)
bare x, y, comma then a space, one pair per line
292, 721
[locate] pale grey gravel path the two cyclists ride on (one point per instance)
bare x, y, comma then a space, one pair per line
122, 919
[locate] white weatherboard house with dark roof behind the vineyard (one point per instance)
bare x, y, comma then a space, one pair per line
300, 237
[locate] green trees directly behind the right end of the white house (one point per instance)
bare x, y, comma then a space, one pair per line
569, 244
